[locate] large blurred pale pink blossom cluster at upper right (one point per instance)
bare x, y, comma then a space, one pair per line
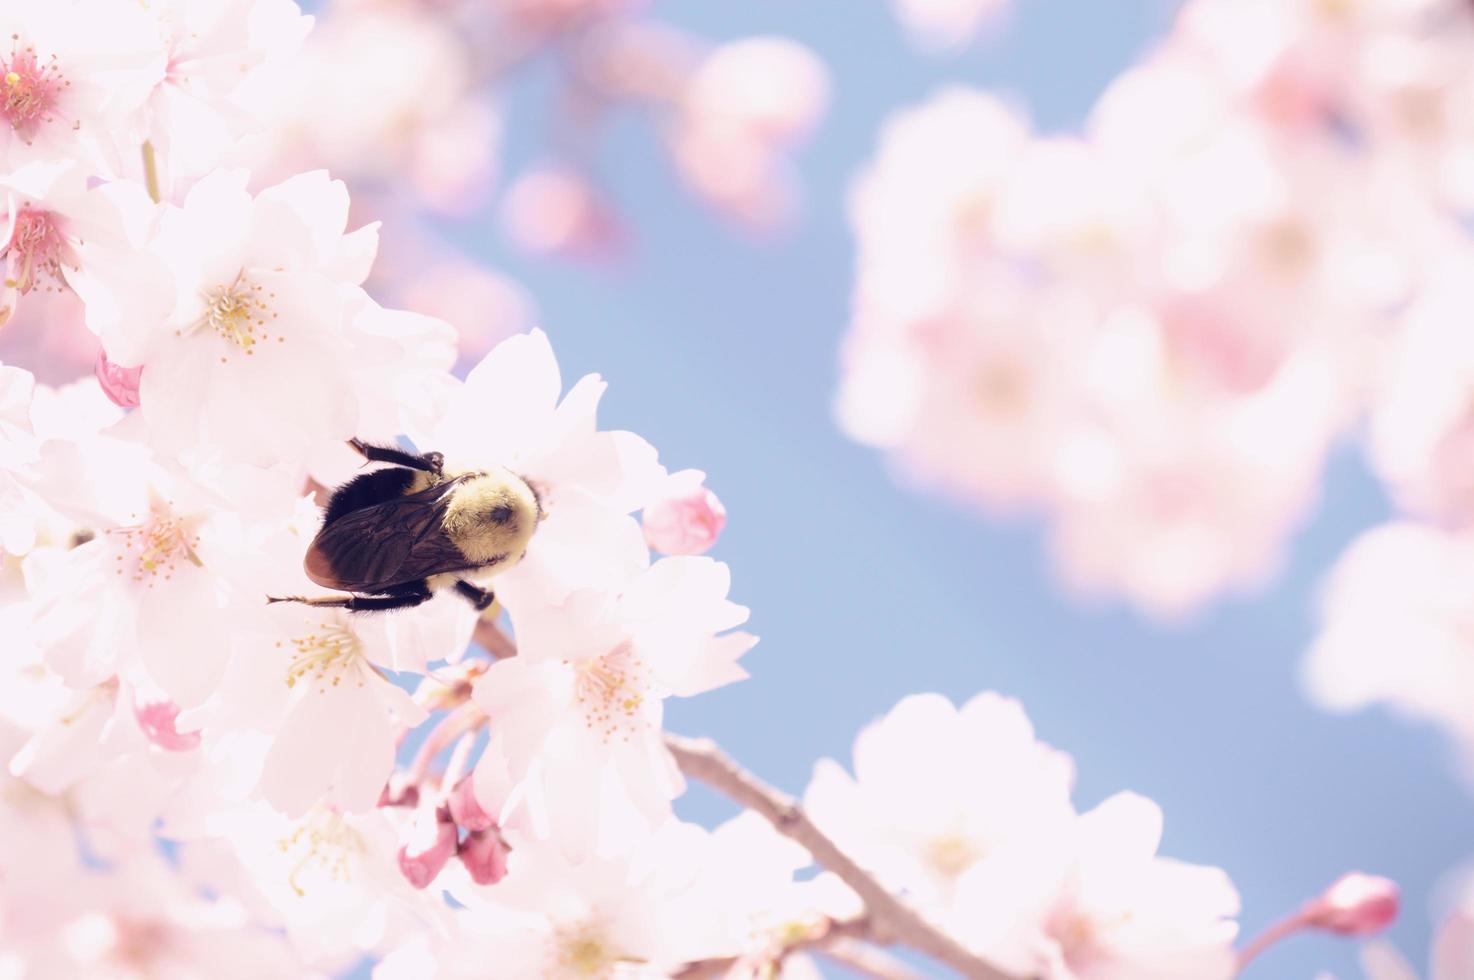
1153, 332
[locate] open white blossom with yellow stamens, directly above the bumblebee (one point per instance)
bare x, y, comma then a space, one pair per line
241, 321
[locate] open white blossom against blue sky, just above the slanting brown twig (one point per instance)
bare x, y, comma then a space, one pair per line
997, 823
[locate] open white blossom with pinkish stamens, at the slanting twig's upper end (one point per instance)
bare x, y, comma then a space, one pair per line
586, 696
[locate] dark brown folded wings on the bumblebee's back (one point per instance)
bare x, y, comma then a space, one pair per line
385, 545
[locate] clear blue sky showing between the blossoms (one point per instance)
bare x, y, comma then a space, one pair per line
723, 351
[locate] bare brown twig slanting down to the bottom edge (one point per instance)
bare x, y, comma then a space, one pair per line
894, 922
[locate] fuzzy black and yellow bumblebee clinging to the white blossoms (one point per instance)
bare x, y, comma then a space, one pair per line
399, 536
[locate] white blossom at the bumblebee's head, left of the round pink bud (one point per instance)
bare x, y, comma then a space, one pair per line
589, 481
